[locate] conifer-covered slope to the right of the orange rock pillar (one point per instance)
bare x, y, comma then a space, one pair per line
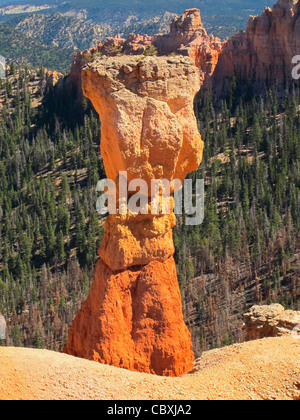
250, 234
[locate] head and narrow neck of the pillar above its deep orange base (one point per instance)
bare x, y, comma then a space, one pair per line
149, 127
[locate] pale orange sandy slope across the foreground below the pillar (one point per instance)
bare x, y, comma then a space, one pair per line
263, 369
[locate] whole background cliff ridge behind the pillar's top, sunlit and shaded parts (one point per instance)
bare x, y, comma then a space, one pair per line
261, 56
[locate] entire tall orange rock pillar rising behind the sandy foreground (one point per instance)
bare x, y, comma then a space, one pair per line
133, 317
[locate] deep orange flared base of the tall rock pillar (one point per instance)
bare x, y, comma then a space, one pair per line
133, 319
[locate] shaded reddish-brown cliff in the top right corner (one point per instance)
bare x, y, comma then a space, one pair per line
262, 55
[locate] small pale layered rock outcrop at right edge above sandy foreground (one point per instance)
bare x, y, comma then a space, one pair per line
271, 321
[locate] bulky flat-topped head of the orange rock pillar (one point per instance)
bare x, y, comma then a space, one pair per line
146, 109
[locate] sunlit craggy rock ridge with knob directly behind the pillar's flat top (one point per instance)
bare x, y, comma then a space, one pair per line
187, 37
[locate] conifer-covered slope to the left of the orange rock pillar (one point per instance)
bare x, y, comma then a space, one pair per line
49, 228
